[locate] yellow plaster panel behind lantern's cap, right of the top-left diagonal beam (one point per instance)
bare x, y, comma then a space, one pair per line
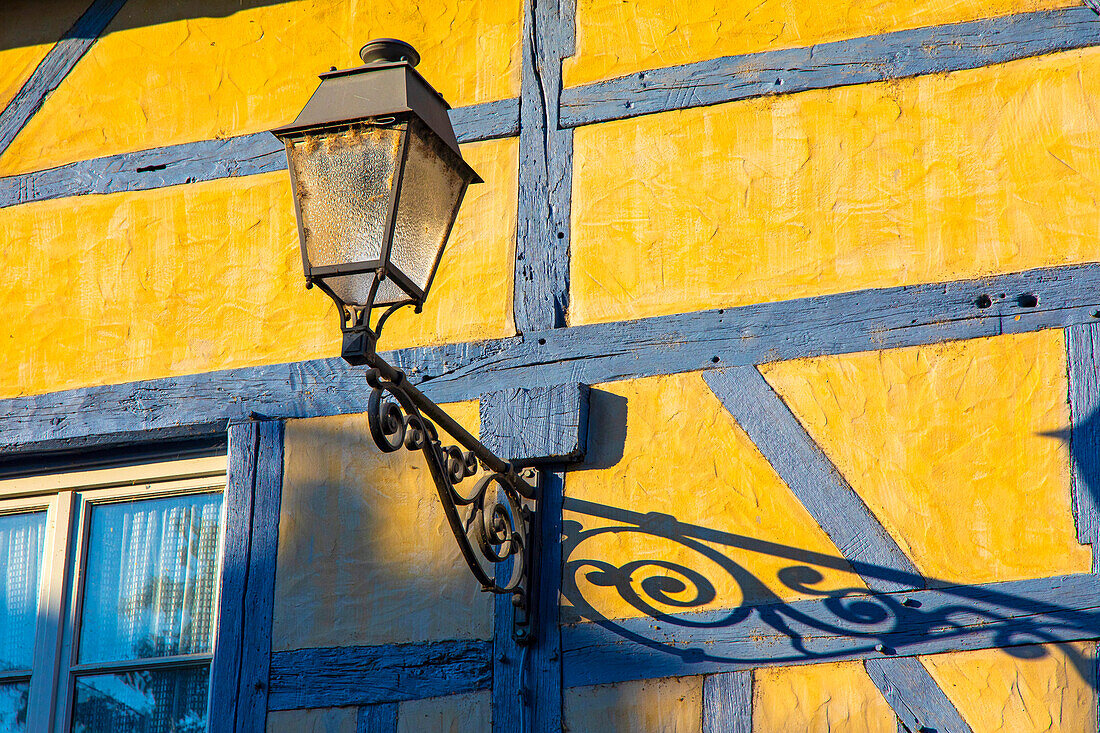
171, 73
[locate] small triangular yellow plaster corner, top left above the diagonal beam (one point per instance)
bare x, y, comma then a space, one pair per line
27, 36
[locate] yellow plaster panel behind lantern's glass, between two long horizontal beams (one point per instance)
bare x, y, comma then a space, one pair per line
194, 279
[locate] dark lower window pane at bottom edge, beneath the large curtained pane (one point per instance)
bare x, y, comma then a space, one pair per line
145, 702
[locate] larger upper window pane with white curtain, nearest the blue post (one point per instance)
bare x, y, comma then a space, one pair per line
151, 578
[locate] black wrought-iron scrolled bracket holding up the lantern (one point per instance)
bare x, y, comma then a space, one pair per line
498, 522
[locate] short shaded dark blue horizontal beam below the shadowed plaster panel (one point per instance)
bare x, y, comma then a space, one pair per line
334, 677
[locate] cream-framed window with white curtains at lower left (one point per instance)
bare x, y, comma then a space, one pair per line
109, 597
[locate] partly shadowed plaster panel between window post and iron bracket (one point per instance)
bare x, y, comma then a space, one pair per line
366, 555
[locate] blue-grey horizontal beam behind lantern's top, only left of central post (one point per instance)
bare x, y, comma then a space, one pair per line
210, 160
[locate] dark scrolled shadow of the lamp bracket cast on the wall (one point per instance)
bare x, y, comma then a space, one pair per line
832, 625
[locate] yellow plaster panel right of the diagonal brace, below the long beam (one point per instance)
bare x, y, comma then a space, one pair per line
952, 447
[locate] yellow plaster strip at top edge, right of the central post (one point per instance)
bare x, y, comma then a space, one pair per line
615, 39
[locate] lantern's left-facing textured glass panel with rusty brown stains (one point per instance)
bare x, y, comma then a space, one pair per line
345, 182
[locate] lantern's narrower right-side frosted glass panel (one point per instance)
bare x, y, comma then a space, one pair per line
433, 185
